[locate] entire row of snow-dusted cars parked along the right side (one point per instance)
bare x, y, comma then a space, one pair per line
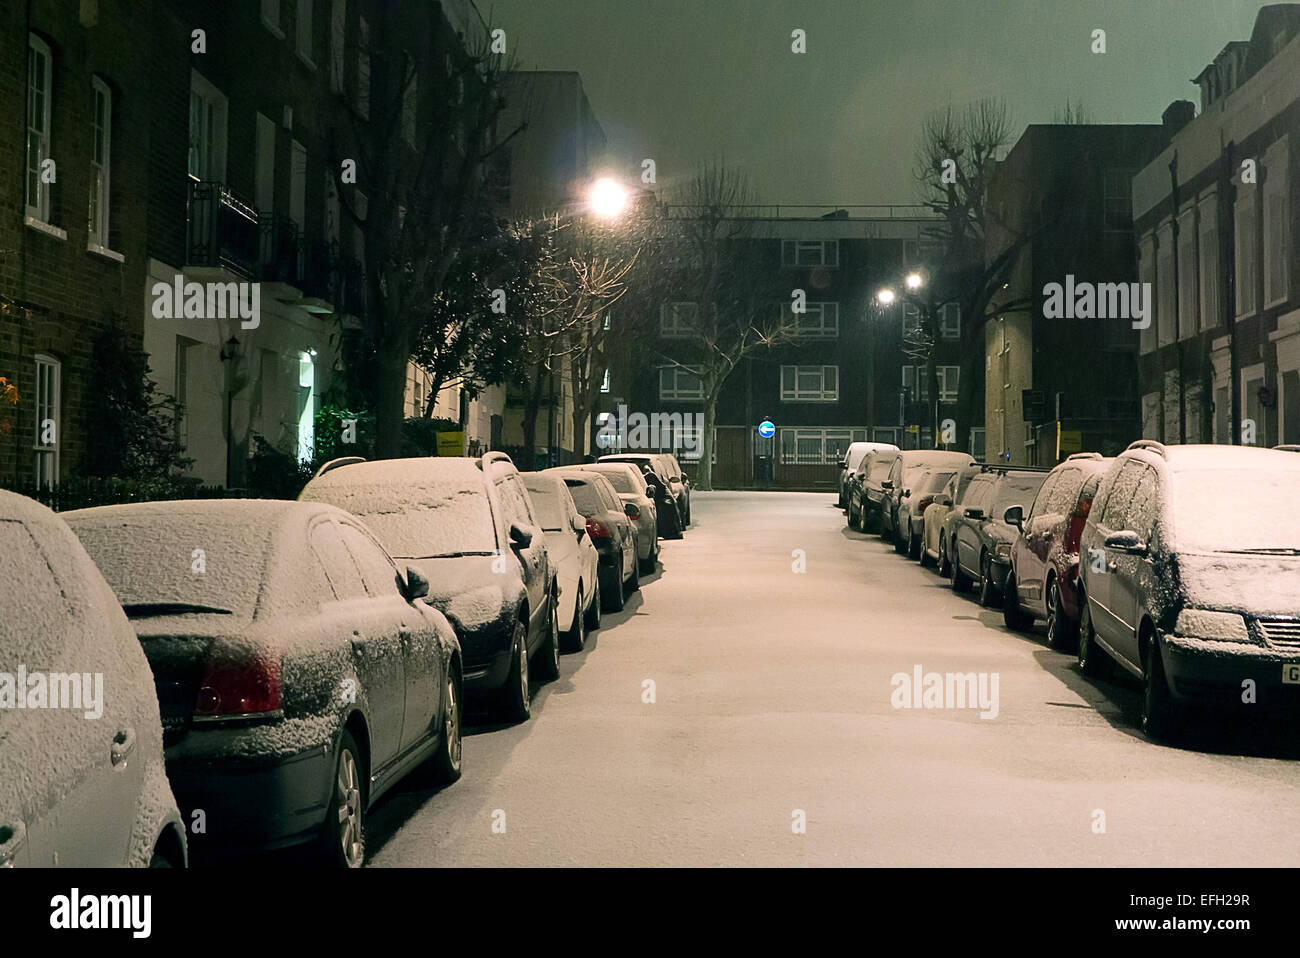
1177, 565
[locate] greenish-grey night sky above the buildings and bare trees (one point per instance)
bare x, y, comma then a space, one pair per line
690, 81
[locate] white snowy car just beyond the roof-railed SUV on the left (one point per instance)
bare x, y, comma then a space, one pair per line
573, 556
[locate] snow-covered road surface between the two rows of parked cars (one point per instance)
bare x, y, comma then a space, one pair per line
773, 696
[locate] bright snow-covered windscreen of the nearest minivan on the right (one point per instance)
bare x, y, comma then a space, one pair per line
1236, 510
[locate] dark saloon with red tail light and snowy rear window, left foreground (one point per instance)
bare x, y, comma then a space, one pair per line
300, 674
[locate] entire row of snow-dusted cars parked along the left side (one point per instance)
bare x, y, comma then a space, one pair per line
275, 667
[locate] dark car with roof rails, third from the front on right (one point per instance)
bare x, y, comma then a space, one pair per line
981, 544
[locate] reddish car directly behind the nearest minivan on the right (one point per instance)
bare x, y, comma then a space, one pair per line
1045, 578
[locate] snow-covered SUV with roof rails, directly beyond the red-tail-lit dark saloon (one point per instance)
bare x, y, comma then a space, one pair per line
467, 526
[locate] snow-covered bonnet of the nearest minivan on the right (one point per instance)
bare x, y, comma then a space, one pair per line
1253, 584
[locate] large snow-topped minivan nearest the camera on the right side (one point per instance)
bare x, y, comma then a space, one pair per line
1190, 569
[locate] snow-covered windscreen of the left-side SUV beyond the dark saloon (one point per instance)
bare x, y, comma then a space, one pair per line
431, 518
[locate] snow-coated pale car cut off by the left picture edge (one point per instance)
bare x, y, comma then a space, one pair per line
83, 778
